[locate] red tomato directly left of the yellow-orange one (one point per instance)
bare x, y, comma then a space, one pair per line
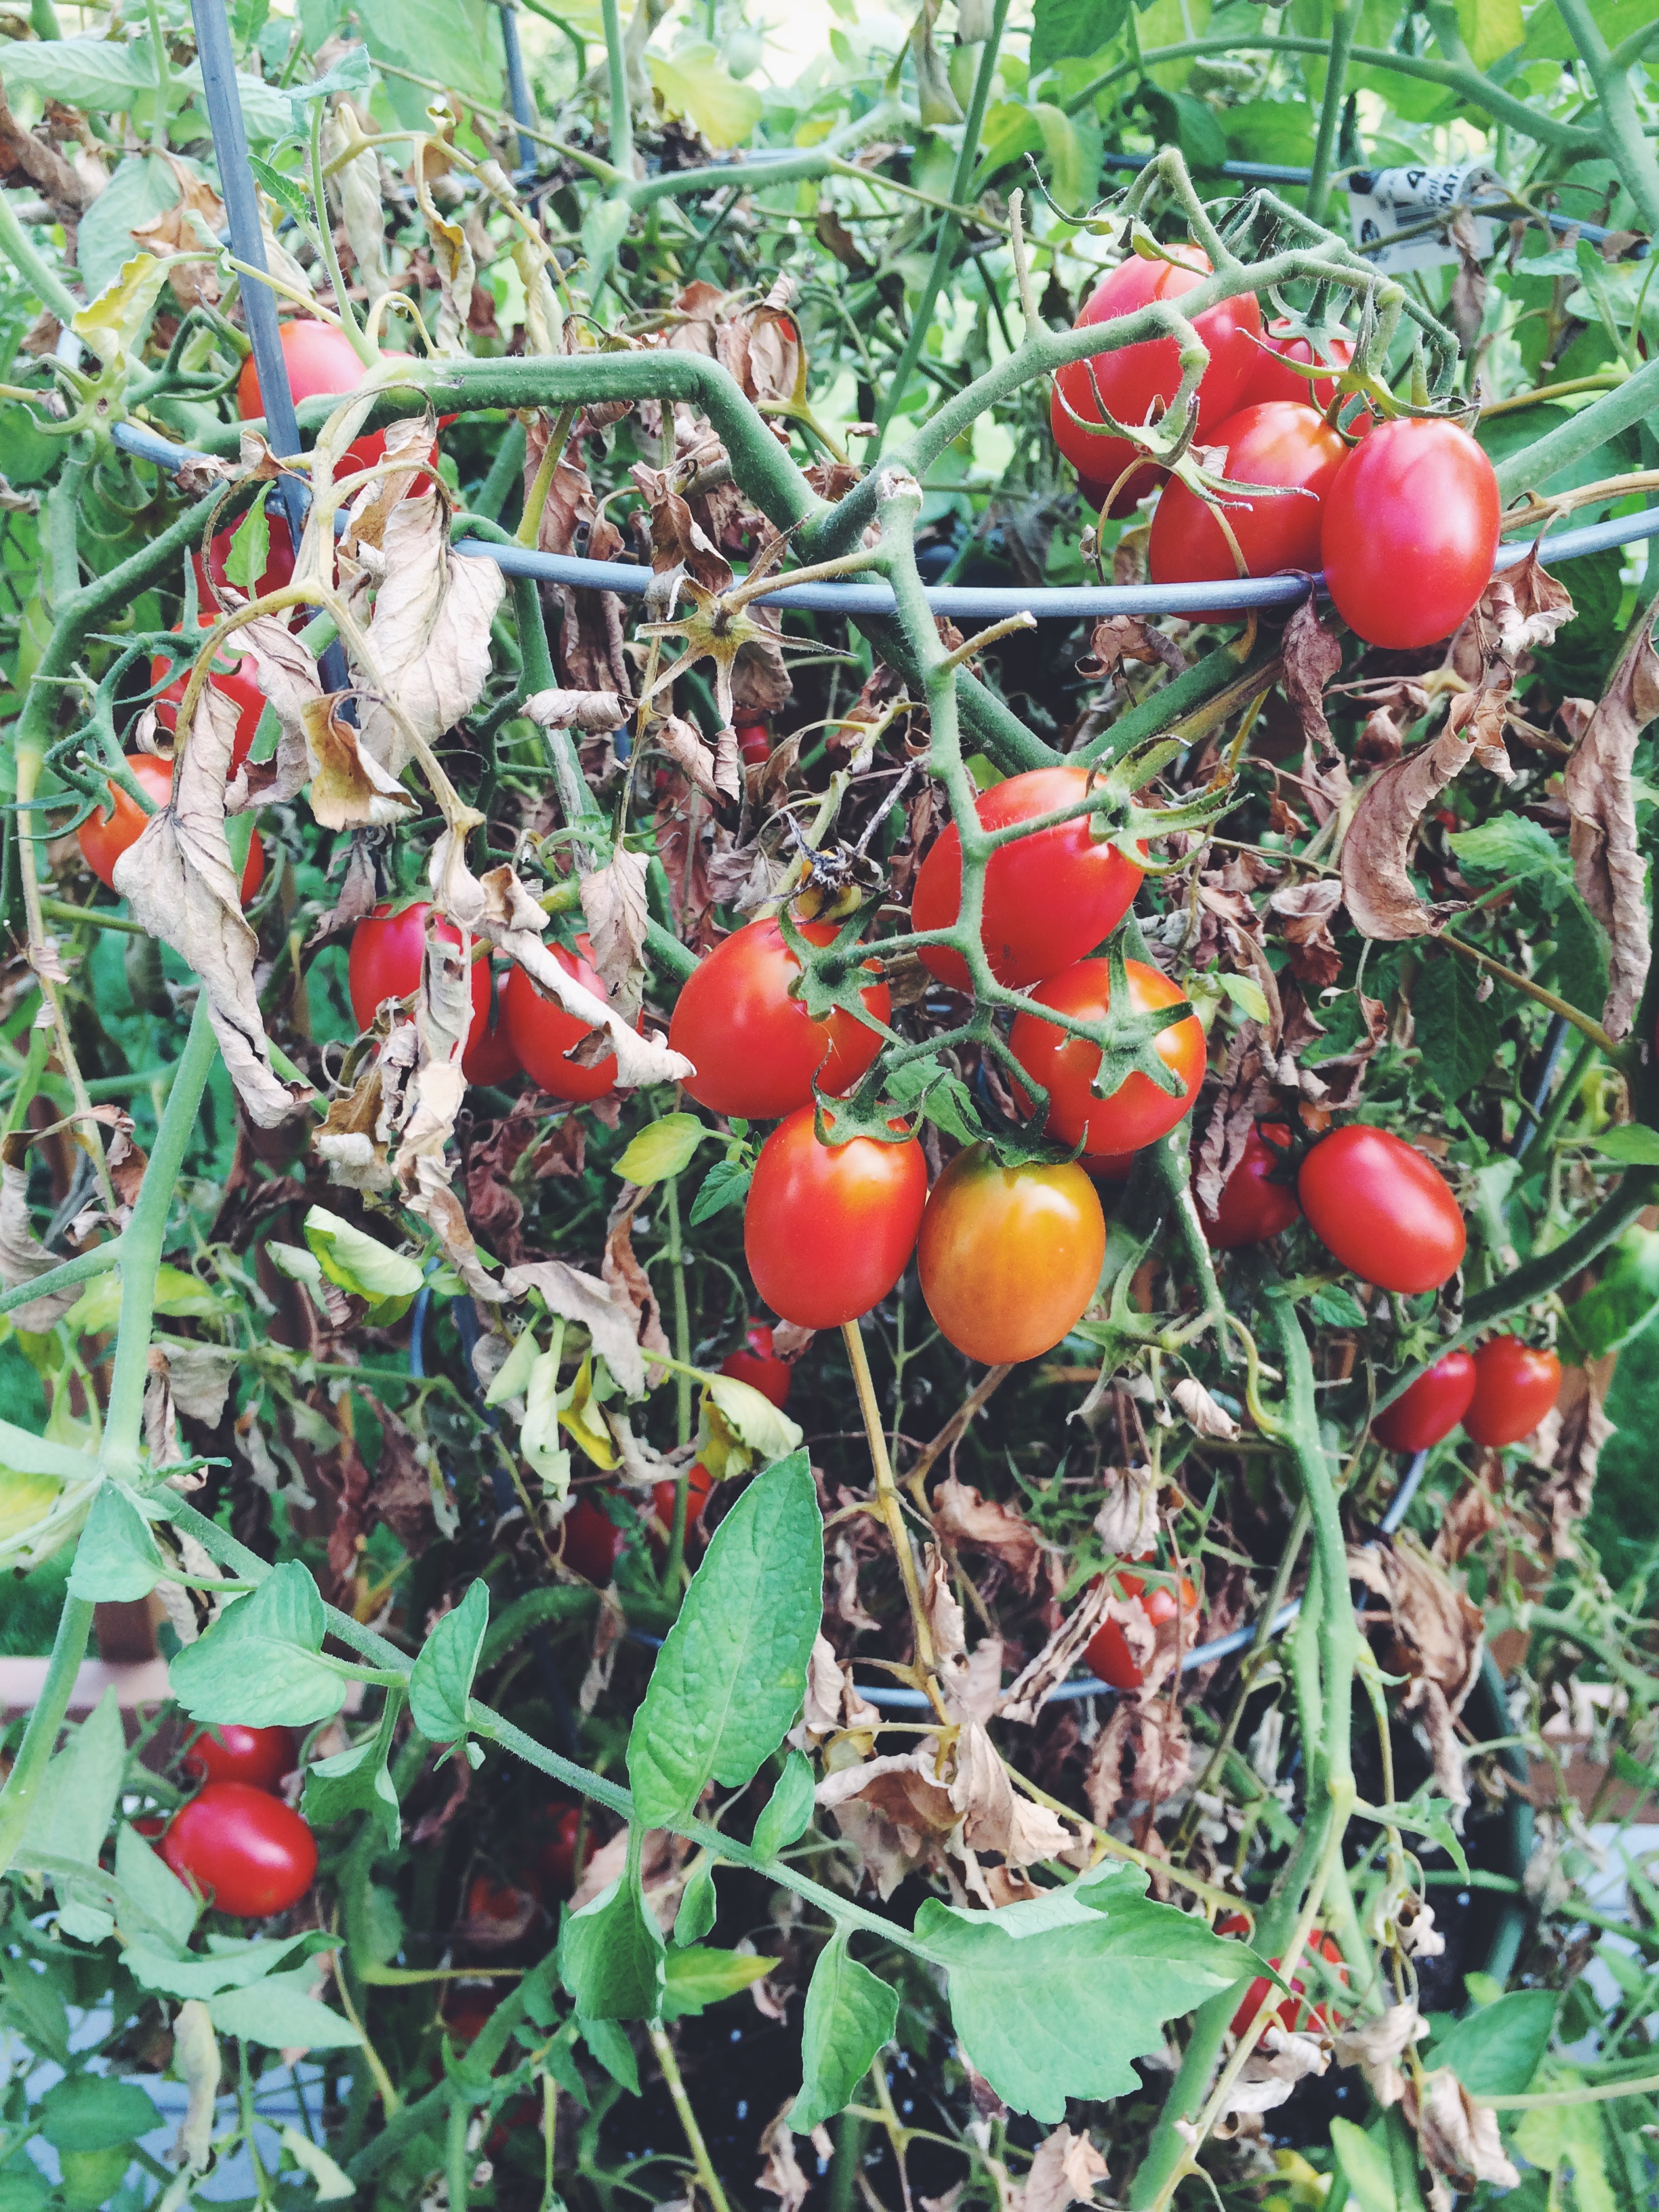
828, 1227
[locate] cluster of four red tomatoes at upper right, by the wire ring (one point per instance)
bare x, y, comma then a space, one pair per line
1404, 517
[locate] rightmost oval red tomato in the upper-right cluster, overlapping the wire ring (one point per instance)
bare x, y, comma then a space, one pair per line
1410, 532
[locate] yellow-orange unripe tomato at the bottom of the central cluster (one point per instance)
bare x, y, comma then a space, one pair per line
1010, 1258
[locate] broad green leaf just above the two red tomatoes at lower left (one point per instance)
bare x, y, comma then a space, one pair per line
260, 1662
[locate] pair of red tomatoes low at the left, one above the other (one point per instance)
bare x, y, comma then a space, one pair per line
238, 1841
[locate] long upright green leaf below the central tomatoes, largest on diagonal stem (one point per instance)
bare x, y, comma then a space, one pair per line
733, 1669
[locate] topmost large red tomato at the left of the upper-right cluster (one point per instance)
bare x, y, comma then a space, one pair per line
1142, 379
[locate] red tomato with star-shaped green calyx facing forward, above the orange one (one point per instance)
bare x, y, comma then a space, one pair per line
1138, 1112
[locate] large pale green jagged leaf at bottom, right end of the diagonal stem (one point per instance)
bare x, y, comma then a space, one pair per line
1052, 1999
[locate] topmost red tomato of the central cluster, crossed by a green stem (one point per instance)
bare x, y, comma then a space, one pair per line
1047, 899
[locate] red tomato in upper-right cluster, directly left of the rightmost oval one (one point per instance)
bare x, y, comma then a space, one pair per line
1280, 444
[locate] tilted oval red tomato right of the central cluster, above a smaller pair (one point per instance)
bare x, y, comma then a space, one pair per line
1381, 1209
